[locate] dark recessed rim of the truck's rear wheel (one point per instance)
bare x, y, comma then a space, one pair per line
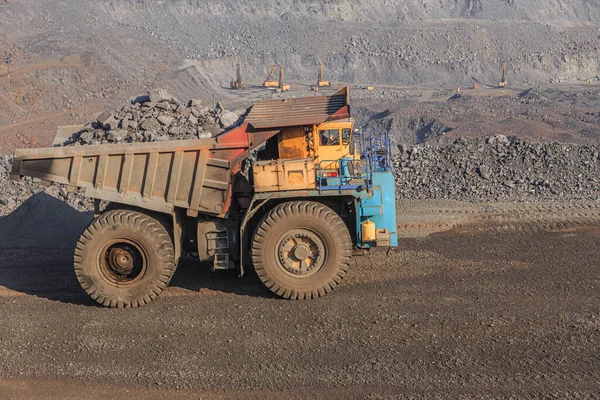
122, 262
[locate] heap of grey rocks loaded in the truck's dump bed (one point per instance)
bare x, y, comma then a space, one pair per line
155, 117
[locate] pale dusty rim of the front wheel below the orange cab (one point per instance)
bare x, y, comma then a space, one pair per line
301, 252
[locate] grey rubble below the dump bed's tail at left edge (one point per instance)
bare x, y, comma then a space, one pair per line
13, 194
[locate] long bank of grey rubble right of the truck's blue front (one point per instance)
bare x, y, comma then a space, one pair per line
498, 169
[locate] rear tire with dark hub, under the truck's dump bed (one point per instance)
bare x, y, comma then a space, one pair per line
124, 259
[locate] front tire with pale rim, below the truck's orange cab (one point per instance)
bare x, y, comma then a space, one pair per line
301, 250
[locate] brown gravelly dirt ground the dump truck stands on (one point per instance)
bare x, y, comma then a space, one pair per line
483, 310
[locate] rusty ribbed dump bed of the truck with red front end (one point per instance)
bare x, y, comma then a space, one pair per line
192, 174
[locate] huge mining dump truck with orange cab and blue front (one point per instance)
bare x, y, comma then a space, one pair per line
291, 192
